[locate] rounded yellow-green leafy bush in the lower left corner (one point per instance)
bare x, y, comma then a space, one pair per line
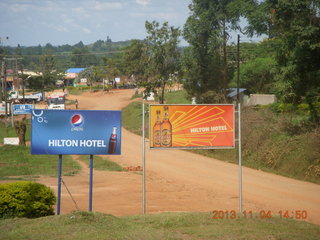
26, 199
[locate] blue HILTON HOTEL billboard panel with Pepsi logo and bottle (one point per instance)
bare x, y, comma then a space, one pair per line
66, 132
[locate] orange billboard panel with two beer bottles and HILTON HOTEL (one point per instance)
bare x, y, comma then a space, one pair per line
192, 126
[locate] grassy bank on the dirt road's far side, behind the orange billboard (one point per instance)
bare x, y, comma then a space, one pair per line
272, 142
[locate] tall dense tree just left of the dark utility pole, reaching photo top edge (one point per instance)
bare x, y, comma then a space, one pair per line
205, 61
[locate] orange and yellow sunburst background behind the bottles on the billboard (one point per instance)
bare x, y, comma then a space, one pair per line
200, 125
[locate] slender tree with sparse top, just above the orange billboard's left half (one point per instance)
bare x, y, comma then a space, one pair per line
162, 56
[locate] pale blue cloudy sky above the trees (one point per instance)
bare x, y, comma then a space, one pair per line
59, 22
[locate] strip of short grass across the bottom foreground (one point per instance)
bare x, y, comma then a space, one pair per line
164, 226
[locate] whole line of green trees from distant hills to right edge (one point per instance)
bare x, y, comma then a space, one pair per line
286, 63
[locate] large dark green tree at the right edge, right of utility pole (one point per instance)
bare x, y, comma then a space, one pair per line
295, 27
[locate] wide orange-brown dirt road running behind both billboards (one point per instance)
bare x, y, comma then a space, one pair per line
179, 180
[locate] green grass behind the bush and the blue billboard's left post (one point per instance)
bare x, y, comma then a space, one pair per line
17, 163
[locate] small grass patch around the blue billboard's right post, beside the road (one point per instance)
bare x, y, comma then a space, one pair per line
100, 163
